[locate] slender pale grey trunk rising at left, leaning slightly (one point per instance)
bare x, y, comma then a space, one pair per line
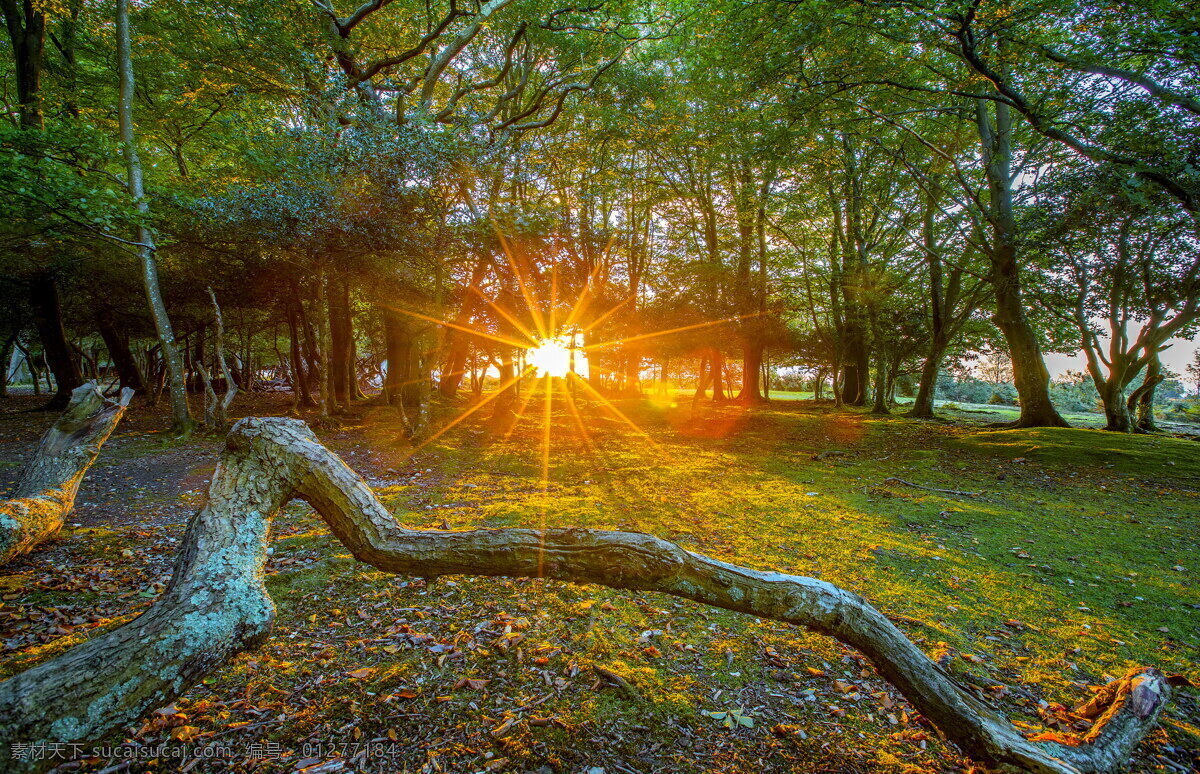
182, 416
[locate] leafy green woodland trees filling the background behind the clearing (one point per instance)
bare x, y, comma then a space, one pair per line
873, 193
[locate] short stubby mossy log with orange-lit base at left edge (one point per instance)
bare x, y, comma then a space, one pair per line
47, 489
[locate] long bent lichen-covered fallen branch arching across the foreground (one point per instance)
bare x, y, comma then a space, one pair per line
217, 605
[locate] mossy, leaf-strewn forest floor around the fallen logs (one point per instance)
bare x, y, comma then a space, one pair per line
1065, 557
